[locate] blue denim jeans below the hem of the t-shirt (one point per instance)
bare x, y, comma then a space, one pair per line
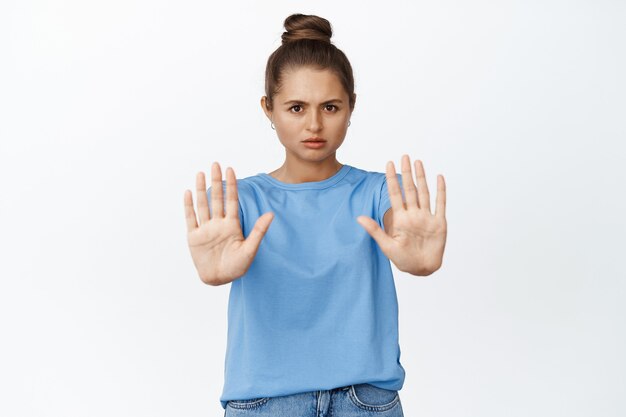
350, 401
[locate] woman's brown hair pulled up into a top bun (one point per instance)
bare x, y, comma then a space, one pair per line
307, 43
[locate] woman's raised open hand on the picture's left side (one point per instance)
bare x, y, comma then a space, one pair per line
217, 245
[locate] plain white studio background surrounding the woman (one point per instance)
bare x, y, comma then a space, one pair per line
108, 110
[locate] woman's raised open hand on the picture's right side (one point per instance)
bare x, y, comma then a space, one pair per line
413, 239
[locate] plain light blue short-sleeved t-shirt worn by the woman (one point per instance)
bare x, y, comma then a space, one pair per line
317, 309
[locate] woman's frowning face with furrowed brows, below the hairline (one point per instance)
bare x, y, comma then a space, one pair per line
311, 103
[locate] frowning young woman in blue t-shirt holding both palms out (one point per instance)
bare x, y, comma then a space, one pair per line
313, 313
